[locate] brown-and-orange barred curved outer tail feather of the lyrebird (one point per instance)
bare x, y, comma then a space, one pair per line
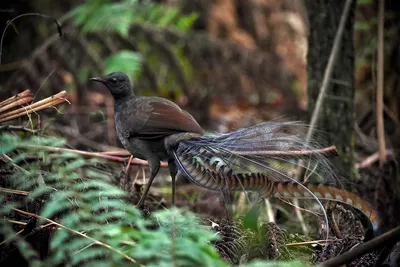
223, 177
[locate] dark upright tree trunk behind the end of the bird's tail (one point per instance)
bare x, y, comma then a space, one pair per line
336, 120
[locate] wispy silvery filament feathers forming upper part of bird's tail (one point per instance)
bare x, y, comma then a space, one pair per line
273, 148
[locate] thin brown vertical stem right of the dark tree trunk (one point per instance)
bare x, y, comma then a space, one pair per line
379, 90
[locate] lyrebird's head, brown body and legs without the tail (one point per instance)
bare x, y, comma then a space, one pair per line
146, 125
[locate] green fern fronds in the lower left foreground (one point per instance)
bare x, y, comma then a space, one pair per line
96, 224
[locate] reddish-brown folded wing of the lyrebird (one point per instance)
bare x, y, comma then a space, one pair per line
157, 117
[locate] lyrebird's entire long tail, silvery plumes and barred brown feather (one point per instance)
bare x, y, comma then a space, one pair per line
262, 158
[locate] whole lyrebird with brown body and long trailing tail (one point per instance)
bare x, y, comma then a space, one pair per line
257, 157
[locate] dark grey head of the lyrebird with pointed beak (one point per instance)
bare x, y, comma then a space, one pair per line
117, 83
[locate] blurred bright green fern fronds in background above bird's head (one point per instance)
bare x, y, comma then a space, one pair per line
110, 17
